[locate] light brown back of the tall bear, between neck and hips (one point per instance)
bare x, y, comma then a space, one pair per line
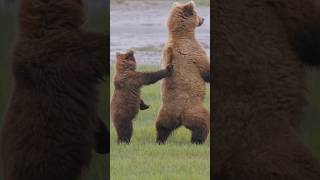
186, 80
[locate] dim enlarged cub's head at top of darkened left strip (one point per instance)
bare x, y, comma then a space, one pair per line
38, 16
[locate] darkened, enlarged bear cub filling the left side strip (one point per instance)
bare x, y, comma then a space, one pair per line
52, 125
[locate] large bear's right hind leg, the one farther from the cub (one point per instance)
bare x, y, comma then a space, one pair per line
197, 119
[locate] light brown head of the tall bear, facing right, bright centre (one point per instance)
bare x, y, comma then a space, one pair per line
184, 17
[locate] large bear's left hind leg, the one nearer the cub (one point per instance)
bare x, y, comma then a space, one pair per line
164, 126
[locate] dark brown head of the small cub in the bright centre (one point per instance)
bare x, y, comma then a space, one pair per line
125, 62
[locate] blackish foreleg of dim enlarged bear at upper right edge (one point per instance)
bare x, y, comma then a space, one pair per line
301, 21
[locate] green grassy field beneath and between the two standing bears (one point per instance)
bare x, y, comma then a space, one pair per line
144, 159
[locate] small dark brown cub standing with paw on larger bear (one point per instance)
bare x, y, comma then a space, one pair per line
126, 100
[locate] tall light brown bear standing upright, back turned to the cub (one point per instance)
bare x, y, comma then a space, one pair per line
183, 93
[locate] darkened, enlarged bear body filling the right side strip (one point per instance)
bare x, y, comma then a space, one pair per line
258, 93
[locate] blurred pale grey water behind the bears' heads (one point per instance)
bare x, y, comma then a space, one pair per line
141, 25
